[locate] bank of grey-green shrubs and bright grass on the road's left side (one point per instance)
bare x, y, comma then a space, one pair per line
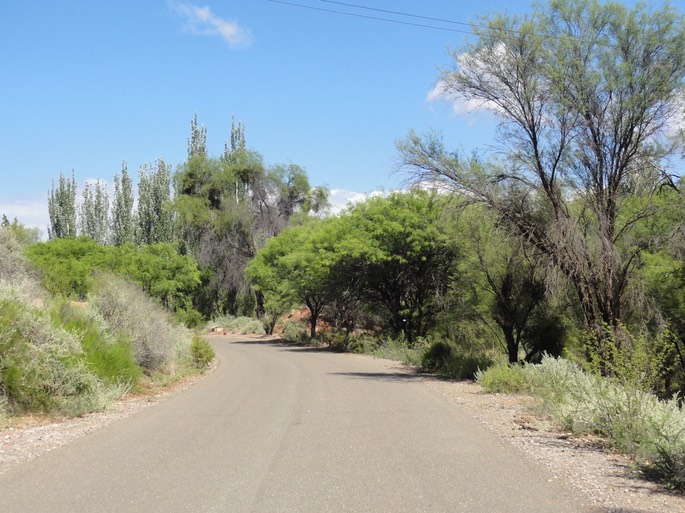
62, 356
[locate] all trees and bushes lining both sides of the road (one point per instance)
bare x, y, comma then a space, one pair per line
553, 265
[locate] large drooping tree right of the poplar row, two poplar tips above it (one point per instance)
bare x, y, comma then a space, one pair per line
228, 208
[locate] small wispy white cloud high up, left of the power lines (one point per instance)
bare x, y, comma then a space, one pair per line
203, 22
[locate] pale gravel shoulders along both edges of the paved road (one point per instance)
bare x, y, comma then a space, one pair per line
605, 478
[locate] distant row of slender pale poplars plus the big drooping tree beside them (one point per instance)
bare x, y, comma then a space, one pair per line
217, 210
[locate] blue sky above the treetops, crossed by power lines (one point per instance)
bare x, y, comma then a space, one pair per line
87, 84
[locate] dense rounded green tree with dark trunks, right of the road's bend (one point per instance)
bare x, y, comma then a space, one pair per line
406, 261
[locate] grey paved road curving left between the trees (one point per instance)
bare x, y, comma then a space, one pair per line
281, 429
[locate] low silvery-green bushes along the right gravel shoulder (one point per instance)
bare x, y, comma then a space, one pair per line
634, 422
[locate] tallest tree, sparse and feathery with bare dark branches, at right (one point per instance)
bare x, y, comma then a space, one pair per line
587, 94
